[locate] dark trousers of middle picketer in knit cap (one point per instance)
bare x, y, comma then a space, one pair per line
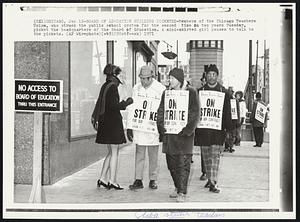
179, 166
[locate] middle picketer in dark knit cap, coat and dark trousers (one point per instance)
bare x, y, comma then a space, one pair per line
179, 147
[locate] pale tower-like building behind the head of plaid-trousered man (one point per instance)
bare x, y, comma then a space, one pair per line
202, 53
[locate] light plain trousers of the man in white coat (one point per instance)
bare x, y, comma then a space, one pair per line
140, 154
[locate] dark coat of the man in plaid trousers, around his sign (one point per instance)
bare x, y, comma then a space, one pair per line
208, 137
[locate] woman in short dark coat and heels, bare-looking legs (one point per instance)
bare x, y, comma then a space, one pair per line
107, 120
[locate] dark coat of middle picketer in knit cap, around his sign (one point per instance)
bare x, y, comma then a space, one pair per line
183, 142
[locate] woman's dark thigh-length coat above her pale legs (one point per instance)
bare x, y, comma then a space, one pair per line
110, 126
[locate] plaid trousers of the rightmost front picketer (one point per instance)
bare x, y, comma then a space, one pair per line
211, 157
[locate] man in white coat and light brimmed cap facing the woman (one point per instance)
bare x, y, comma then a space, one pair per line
149, 88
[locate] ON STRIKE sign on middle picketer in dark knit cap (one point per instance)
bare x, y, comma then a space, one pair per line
176, 110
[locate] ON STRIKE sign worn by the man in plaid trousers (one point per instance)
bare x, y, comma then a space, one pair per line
211, 109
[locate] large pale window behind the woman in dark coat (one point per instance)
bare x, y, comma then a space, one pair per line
87, 61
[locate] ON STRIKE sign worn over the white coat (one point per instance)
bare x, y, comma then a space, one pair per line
143, 114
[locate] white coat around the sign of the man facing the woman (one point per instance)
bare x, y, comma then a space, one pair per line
154, 90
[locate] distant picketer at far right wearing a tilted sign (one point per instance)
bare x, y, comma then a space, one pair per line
258, 119
